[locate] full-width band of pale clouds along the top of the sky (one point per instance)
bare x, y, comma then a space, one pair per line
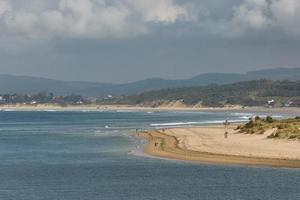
99, 19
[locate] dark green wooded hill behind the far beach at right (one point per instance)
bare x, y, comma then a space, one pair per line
248, 93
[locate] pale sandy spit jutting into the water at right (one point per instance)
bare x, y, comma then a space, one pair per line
207, 144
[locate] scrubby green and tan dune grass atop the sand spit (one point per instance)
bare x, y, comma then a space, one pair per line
286, 128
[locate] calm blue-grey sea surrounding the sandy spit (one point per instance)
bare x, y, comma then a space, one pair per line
91, 156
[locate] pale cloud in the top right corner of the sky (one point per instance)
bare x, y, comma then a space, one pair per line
262, 15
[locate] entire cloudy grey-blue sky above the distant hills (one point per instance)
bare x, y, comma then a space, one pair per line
120, 41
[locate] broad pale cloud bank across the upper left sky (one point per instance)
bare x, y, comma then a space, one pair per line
88, 18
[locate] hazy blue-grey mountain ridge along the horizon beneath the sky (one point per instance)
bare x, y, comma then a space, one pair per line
30, 85
